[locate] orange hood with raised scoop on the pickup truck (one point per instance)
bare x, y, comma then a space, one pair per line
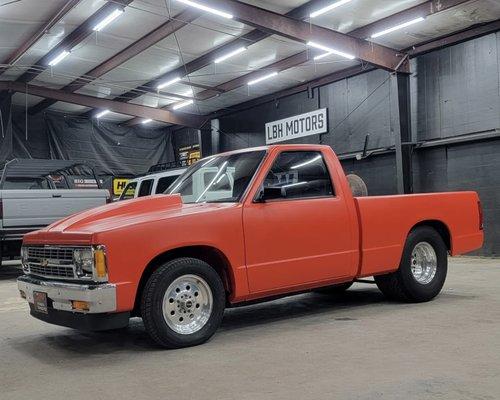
124, 213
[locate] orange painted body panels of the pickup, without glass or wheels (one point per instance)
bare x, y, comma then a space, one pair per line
274, 247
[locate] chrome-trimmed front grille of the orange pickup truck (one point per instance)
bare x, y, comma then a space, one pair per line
50, 262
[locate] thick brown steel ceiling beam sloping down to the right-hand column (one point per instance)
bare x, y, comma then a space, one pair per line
304, 32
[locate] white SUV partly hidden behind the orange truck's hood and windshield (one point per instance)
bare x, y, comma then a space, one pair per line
150, 184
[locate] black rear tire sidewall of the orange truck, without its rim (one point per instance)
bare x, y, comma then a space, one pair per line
413, 289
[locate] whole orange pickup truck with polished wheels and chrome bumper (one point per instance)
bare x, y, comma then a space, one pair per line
237, 227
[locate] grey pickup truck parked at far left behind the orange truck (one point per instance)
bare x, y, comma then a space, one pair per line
31, 197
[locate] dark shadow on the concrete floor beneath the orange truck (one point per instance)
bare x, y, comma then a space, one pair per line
66, 343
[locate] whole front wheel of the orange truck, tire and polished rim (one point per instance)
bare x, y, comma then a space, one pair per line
183, 303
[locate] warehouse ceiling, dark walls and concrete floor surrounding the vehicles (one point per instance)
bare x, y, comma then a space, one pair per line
411, 90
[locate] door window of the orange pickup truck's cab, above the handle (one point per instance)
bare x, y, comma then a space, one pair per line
302, 174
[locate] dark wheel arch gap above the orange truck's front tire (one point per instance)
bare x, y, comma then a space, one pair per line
209, 254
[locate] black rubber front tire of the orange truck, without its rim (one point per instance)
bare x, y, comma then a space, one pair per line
167, 274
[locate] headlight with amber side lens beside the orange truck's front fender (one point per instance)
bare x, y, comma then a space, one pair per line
90, 263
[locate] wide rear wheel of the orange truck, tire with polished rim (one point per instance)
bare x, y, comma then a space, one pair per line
424, 248
